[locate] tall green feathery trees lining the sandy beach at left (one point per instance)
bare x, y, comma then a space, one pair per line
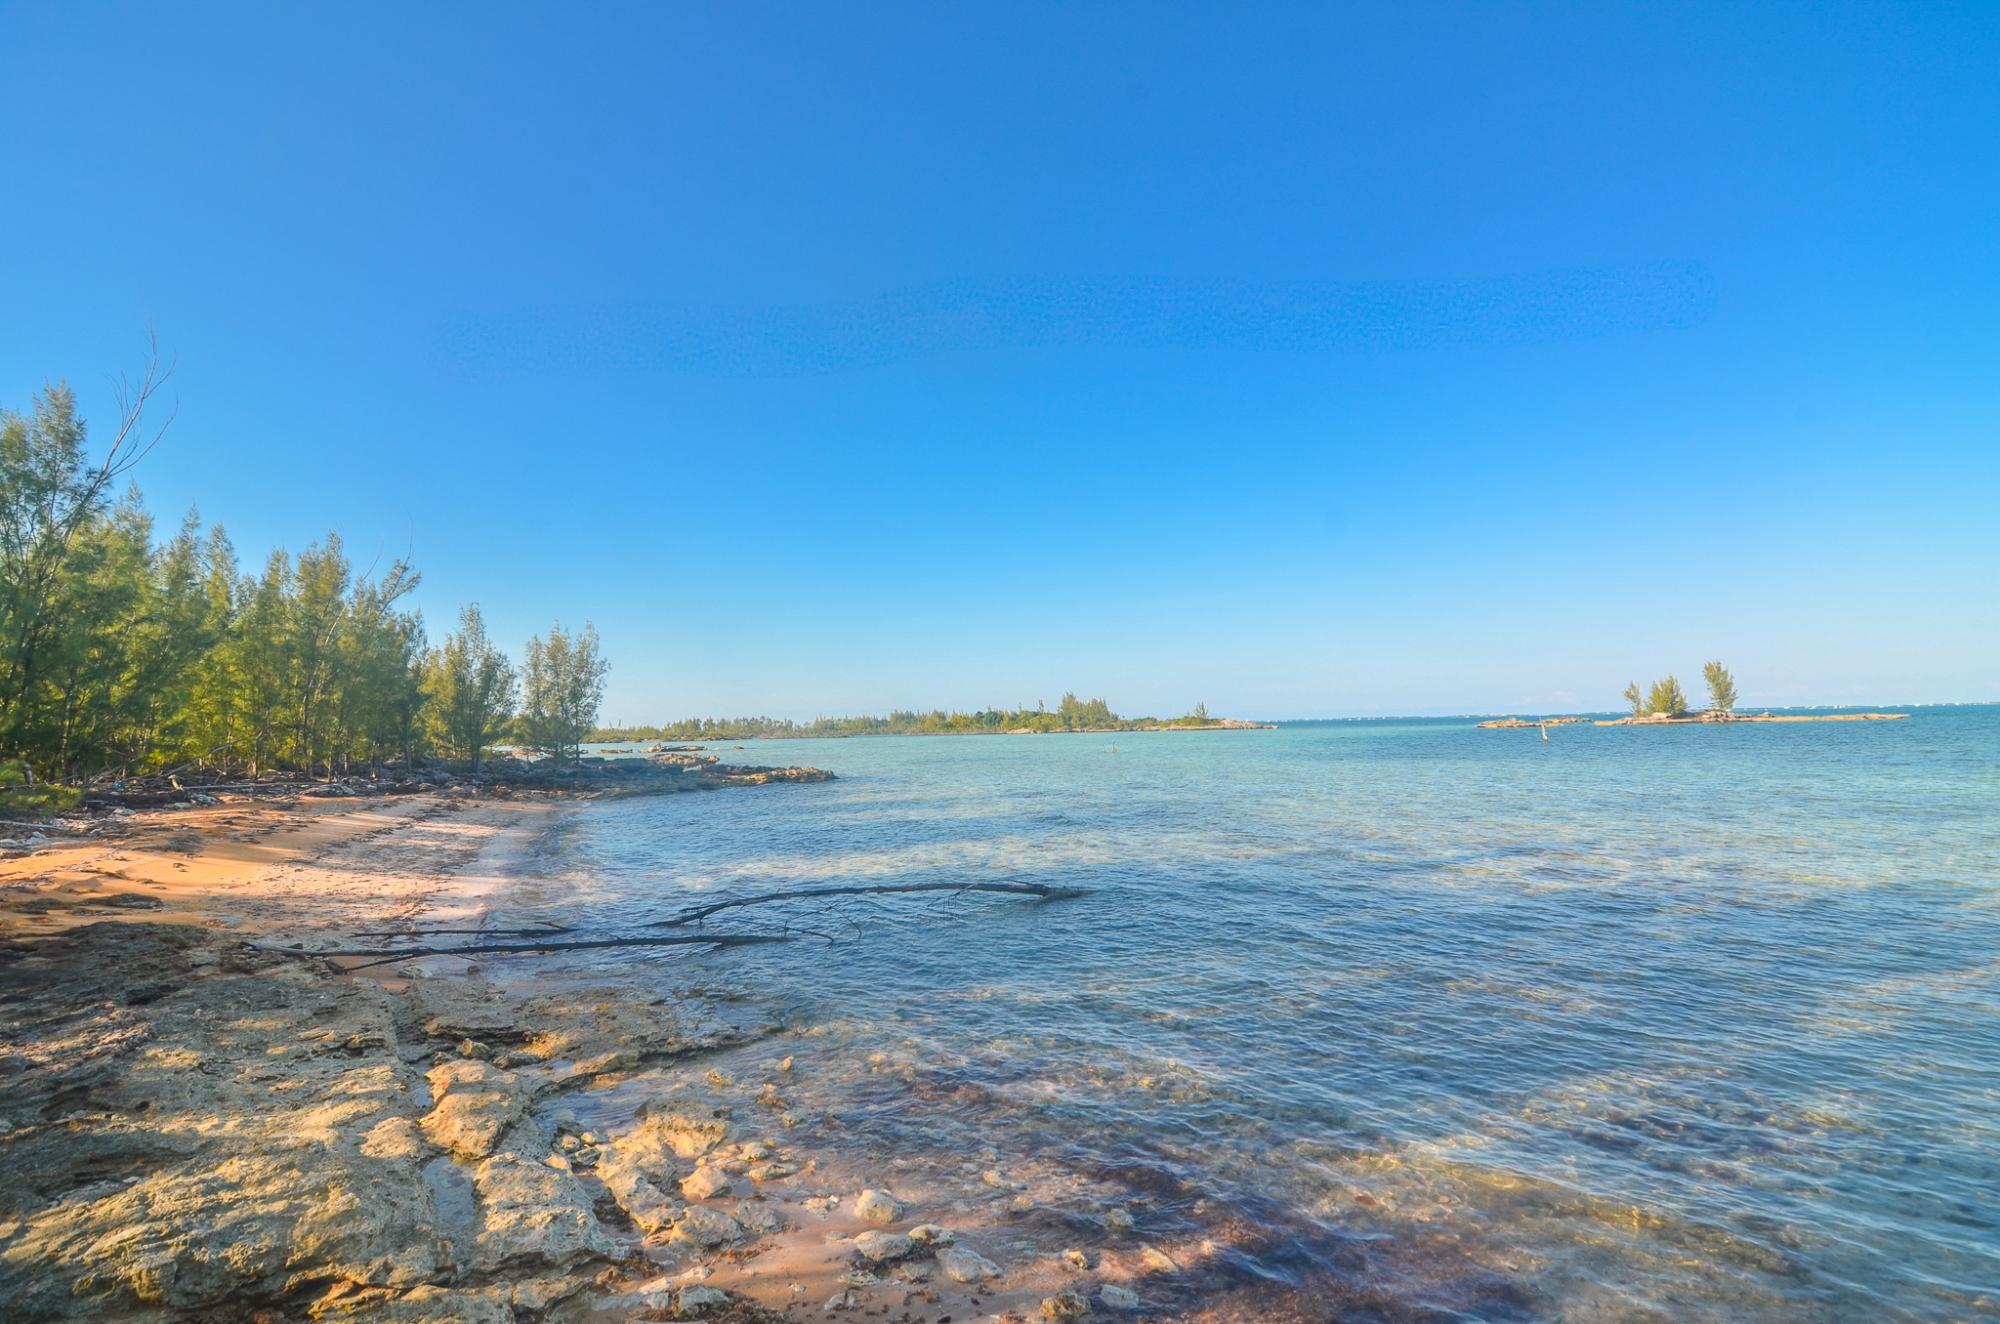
123, 653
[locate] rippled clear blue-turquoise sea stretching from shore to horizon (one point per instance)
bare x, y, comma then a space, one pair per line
1423, 1021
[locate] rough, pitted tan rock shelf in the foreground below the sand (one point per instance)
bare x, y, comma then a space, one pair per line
191, 1127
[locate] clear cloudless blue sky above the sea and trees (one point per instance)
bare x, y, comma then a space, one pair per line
1301, 361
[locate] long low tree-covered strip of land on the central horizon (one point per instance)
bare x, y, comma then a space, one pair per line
1071, 717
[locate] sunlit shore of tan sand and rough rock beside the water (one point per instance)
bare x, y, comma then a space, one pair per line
203, 1129
